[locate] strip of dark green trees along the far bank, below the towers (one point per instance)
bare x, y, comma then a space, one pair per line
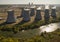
18, 27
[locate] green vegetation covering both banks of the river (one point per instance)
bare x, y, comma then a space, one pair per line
7, 31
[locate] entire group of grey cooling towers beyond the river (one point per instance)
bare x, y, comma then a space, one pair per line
26, 13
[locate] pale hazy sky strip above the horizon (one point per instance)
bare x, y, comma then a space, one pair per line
27, 1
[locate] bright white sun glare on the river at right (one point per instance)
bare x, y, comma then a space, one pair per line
50, 27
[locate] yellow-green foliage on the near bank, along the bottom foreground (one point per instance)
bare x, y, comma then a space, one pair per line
43, 37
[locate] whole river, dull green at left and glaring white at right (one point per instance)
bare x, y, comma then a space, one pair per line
33, 32
